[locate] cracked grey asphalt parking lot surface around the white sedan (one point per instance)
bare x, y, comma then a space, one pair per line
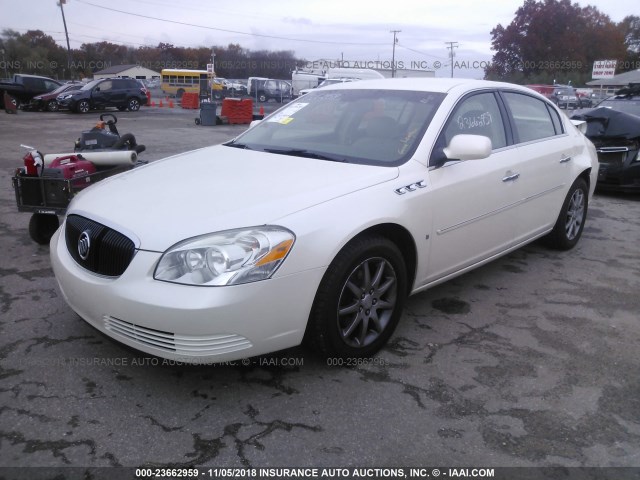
531, 360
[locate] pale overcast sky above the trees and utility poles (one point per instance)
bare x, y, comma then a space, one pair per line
358, 32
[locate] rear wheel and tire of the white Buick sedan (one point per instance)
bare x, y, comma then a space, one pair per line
570, 223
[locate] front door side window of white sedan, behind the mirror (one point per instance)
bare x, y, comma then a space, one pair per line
478, 114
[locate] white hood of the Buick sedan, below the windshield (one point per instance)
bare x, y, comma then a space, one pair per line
218, 188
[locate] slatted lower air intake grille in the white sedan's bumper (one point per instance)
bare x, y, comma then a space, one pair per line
189, 346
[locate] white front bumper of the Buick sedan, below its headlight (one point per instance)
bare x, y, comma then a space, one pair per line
187, 323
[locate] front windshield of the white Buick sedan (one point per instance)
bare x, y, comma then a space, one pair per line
375, 127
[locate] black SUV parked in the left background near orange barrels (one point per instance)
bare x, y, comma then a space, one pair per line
123, 93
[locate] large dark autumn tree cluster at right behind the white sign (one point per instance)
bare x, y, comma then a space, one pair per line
556, 40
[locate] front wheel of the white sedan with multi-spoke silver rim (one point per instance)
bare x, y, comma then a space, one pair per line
360, 299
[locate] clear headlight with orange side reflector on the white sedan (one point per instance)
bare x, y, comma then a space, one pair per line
226, 258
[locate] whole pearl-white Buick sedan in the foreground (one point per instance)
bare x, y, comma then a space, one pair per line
317, 223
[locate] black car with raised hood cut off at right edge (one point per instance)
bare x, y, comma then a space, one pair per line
614, 129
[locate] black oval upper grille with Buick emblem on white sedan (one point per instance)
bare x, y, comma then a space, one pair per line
97, 247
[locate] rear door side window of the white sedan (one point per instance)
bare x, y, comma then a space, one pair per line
531, 117
